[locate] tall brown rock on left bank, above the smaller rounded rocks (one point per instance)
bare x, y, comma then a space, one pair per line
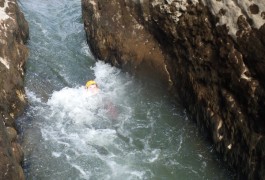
13, 54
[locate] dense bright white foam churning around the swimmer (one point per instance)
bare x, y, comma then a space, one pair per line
76, 122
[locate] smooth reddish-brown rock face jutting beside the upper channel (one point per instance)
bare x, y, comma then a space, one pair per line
116, 36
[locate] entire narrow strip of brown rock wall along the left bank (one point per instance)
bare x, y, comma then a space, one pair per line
13, 53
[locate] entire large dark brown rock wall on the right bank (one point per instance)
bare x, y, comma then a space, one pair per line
210, 52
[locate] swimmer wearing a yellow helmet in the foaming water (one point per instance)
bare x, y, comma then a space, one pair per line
93, 89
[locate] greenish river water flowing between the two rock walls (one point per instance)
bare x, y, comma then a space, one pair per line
67, 134
